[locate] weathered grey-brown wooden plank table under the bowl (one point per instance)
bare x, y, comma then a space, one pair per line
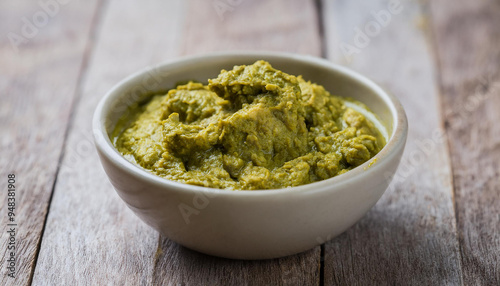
438, 223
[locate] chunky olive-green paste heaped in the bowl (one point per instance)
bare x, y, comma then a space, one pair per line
253, 127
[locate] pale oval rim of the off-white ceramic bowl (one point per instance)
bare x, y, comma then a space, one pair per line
395, 142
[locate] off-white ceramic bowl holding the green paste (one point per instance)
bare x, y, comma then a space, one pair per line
250, 224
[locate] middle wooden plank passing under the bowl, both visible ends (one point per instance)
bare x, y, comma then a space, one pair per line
270, 25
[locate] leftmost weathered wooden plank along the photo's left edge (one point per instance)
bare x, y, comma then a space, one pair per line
42, 50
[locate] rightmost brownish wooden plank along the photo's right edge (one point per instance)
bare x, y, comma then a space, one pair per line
467, 37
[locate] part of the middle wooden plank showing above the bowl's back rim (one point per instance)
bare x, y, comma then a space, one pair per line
278, 25
